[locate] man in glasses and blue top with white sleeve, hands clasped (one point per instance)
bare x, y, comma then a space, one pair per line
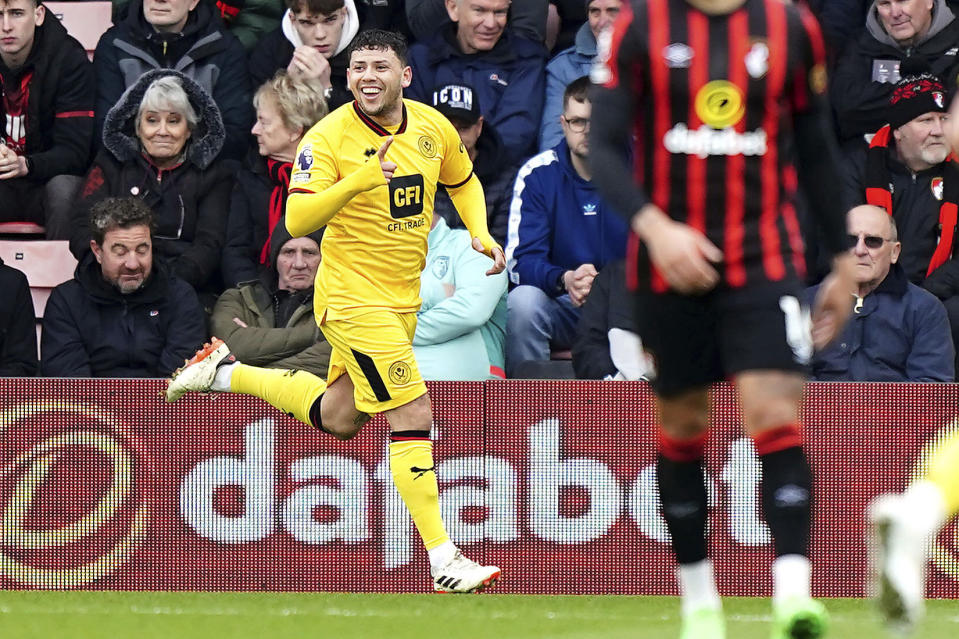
560, 234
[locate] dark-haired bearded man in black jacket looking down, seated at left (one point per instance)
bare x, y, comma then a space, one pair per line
122, 315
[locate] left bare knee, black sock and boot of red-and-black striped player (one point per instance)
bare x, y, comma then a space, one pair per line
682, 492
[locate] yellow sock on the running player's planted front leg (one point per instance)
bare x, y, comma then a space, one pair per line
414, 475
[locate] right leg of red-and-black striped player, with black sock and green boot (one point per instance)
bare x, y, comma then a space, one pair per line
770, 402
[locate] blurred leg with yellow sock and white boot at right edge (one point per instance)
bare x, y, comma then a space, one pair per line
903, 527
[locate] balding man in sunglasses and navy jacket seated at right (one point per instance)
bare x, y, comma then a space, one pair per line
898, 332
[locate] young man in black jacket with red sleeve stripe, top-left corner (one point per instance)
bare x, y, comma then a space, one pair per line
46, 84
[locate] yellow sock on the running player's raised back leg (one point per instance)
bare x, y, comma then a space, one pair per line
292, 392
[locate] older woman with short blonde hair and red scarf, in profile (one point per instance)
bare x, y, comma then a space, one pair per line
285, 110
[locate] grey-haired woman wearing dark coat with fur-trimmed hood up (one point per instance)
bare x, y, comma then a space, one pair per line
160, 143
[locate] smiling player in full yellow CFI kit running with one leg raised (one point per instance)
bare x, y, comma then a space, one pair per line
368, 172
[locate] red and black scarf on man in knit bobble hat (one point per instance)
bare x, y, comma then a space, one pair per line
878, 193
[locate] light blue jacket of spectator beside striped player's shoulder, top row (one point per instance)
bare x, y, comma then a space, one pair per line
566, 66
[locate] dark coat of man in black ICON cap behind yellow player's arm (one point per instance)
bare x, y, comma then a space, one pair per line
496, 172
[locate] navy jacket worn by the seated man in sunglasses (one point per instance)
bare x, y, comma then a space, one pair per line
898, 333
